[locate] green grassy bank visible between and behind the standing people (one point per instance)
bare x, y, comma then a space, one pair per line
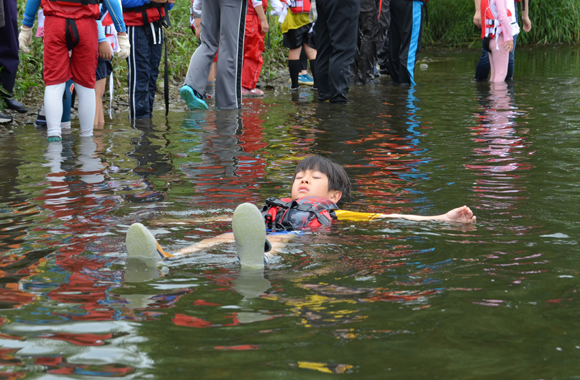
449, 26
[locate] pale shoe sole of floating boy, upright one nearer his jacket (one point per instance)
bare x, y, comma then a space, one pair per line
250, 234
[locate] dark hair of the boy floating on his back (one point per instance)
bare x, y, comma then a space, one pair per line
337, 177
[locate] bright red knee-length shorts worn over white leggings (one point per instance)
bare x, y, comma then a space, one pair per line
82, 64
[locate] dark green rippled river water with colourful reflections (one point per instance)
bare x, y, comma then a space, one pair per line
363, 300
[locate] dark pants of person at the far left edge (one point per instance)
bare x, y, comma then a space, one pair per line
9, 47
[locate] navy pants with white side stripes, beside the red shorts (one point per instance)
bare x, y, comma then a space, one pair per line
143, 69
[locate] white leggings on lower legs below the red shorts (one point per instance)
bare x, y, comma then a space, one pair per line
53, 108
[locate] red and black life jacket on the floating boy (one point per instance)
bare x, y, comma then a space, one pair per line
287, 215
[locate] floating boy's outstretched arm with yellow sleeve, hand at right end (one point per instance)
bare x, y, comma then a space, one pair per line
457, 215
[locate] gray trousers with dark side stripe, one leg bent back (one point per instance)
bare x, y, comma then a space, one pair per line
223, 24
